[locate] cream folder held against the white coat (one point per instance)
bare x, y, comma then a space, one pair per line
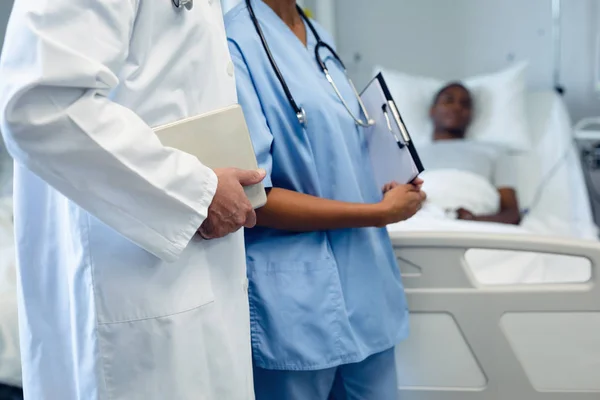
219, 139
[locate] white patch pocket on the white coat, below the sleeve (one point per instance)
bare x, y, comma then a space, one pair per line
131, 284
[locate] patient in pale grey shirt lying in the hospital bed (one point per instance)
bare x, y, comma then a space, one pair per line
466, 179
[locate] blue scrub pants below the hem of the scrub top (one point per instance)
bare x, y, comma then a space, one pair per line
371, 379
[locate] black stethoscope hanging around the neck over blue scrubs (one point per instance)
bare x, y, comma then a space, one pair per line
300, 113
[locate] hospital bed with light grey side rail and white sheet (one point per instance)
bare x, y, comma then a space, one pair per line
532, 335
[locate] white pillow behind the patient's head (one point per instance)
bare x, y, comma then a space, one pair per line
499, 115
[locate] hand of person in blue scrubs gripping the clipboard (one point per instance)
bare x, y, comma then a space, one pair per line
401, 202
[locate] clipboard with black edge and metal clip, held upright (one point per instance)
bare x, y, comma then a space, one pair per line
393, 155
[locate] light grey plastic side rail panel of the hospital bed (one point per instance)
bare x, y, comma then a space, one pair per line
474, 342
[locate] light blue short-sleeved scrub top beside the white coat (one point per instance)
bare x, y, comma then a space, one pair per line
317, 299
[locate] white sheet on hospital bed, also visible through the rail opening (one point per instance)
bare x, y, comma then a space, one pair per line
563, 208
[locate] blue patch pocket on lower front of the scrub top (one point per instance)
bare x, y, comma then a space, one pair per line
296, 313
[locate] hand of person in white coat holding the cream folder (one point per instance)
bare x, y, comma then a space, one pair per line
230, 208
